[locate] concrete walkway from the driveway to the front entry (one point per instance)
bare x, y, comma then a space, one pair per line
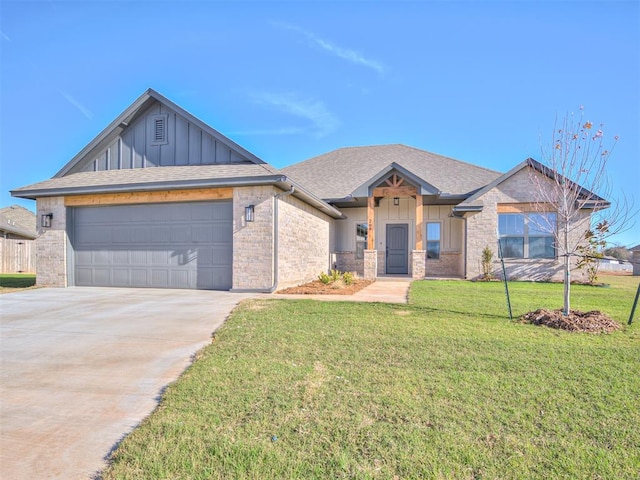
384, 289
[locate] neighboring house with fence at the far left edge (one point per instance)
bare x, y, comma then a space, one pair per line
17, 234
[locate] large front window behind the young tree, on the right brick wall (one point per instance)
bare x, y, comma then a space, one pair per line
527, 235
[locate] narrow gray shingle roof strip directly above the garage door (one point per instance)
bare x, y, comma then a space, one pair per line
170, 176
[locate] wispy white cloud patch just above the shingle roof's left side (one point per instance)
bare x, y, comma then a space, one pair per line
322, 120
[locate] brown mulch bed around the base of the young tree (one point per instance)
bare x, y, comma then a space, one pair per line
577, 321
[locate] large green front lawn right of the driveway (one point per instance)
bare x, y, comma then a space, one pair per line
445, 387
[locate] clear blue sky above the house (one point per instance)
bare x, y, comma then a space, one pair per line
478, 81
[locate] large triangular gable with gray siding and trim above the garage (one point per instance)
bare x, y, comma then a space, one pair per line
154, 131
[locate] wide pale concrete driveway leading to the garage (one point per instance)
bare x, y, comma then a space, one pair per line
81, 367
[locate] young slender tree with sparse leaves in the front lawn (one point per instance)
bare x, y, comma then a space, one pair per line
575, 187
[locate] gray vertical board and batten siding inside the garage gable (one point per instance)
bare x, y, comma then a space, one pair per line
184, 143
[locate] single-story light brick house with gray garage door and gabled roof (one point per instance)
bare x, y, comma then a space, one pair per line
161, 199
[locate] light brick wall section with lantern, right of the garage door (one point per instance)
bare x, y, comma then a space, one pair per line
253, 241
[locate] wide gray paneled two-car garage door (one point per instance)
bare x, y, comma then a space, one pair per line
168, 245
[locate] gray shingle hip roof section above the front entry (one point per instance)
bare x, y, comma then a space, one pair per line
339, 173
